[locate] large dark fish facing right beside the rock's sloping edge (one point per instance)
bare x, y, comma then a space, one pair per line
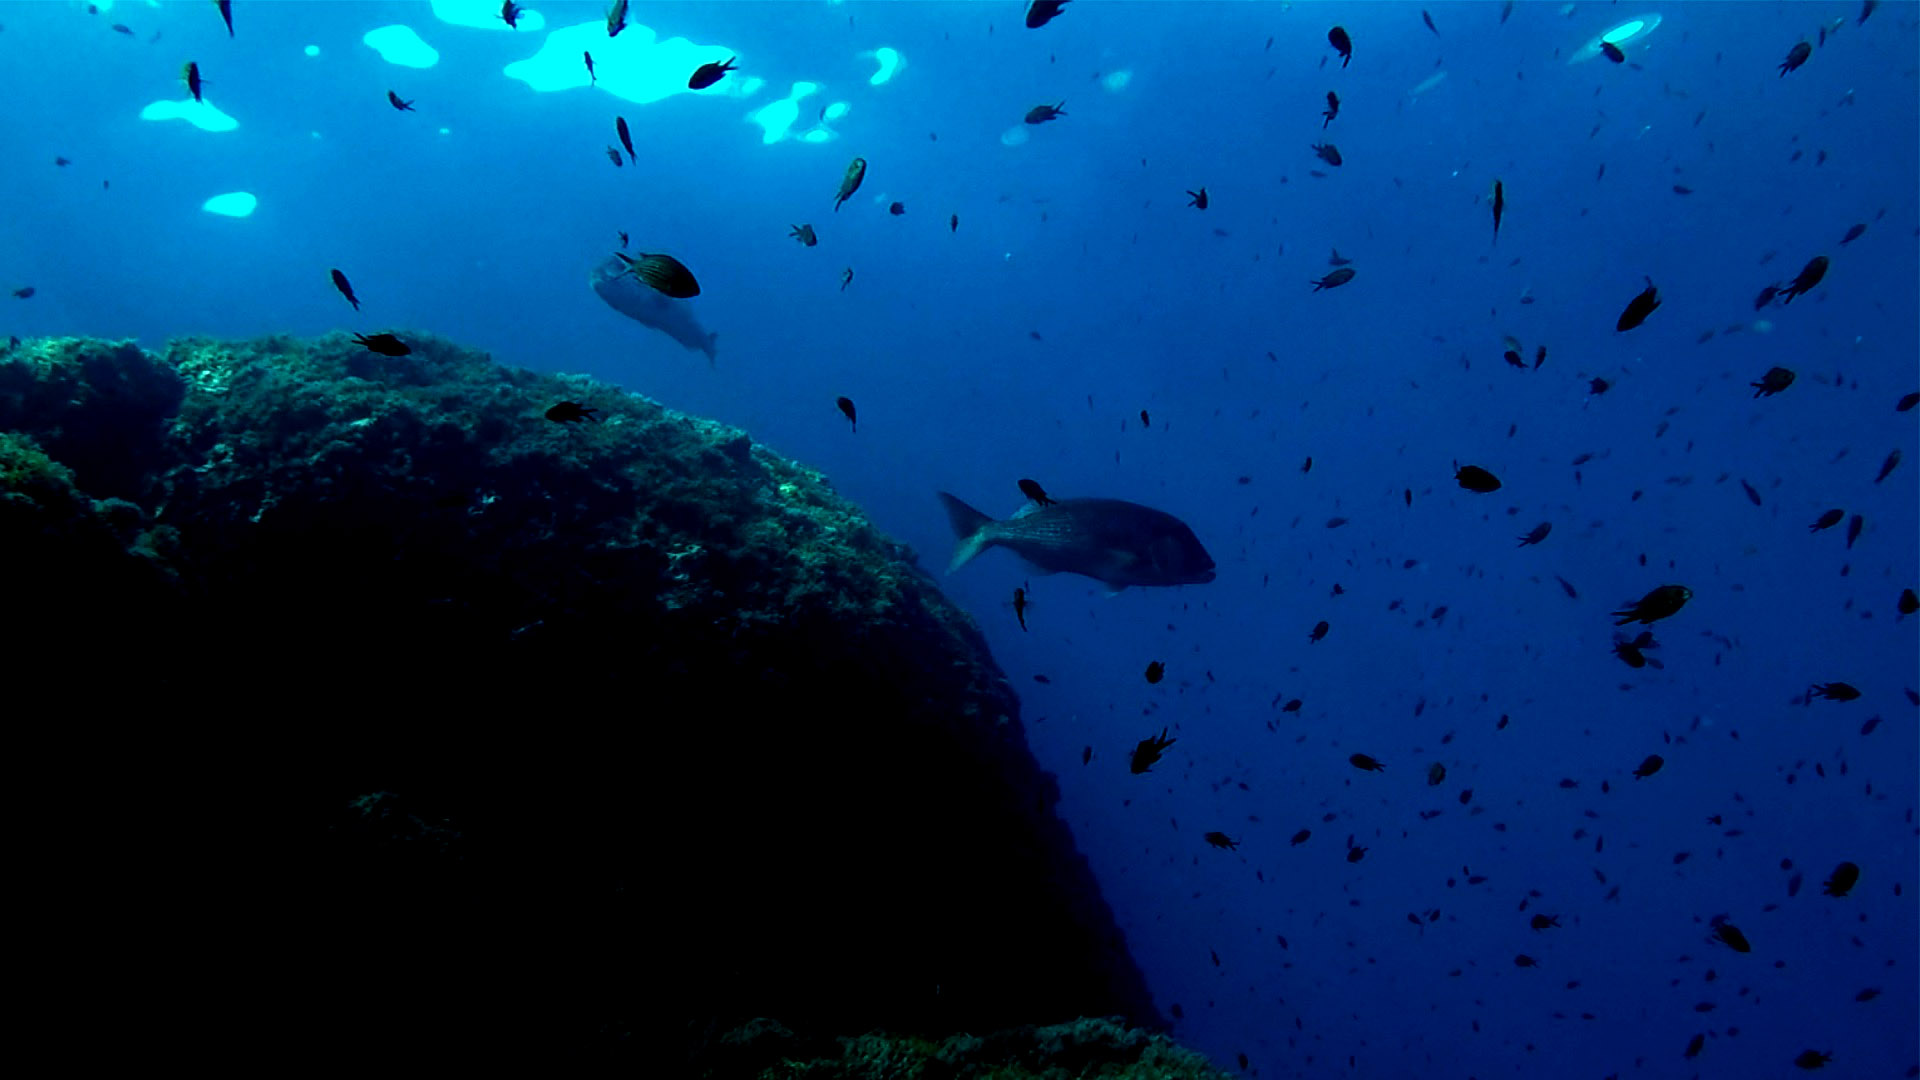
1115, 543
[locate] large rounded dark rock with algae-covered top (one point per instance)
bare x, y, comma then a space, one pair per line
421, 722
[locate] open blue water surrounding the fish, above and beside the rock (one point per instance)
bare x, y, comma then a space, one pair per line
1082, 291
